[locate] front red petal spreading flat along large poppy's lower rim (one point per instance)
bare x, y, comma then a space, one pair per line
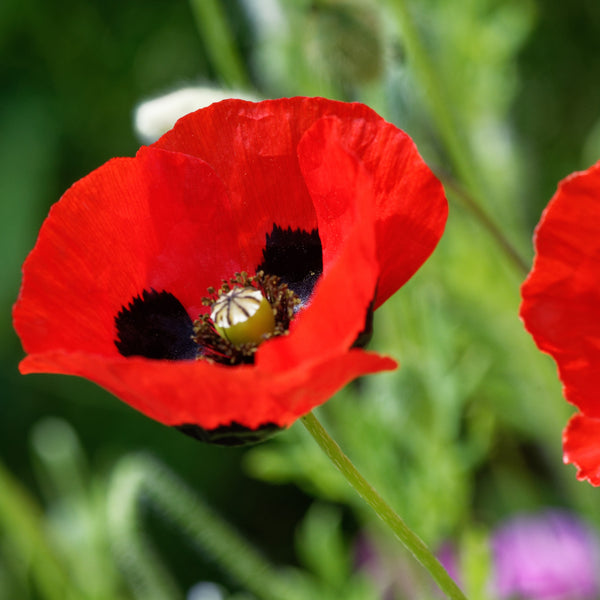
186, 392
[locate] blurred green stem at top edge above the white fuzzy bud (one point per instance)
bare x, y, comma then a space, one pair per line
219, 42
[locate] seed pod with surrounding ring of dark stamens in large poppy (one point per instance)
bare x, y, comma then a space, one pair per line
244, 313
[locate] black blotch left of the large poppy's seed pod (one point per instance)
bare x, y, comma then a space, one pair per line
155, 325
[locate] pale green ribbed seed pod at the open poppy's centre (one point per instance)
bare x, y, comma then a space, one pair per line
243, 316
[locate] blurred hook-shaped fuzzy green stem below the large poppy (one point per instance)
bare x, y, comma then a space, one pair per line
140, 477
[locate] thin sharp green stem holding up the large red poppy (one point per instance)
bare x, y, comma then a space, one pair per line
411, 540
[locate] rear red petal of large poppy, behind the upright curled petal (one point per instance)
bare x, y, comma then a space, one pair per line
411, 206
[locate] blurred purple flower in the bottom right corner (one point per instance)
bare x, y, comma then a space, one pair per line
547, 556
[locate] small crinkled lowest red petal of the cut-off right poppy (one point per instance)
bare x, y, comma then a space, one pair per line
581, 447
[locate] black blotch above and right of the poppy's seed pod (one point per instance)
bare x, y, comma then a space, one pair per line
296, 256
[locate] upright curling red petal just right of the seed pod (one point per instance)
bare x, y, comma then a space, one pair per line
342, 194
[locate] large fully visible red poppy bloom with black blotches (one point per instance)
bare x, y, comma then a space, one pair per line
326, 196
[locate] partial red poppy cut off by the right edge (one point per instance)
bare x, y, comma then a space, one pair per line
561, 308
